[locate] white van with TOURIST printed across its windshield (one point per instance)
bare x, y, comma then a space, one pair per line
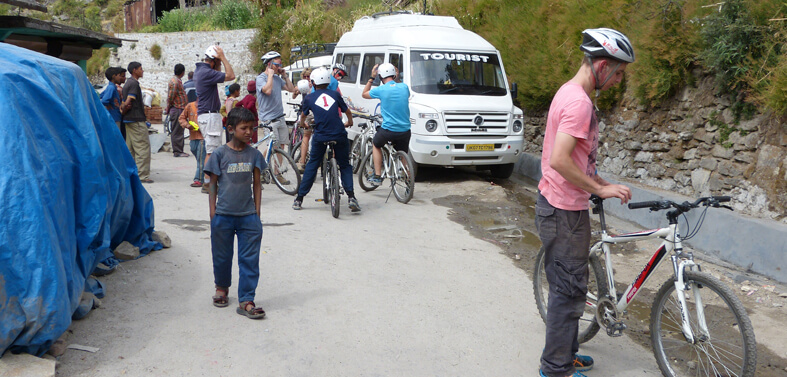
461, 110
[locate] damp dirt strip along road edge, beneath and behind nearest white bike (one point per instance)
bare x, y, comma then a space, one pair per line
508, 223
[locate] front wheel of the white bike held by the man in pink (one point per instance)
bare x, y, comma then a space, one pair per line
727, 348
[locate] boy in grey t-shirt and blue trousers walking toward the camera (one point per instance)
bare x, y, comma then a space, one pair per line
235, 209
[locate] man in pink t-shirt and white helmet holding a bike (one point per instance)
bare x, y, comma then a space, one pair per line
568, 167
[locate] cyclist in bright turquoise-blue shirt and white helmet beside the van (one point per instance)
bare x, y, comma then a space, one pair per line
395, 108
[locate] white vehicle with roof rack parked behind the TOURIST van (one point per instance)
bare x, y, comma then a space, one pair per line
302, 57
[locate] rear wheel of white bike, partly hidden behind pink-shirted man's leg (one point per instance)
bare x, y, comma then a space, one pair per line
597, 287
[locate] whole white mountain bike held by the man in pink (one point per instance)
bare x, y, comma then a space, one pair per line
698, 326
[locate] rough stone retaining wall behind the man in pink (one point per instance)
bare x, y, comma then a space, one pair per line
693, 146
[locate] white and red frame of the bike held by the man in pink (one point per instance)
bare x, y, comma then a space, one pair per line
671, 245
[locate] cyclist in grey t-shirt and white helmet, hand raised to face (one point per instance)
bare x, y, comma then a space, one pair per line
270, 109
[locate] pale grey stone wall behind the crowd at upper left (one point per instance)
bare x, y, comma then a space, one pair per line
186, 48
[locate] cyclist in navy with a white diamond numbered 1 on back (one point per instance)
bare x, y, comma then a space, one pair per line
328, 126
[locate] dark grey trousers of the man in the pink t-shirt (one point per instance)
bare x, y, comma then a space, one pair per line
565, 236
